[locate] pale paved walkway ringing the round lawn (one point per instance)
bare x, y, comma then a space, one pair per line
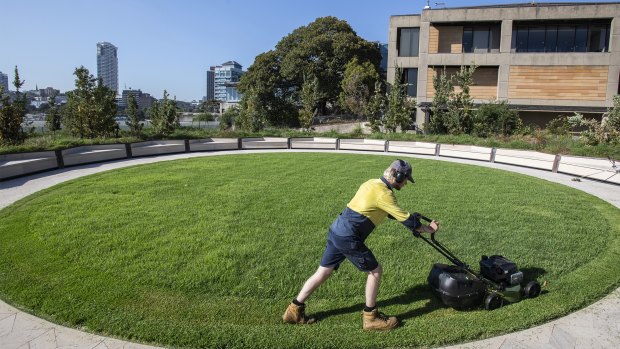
596, 326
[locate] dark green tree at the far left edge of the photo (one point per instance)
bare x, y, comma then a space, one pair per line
12, 114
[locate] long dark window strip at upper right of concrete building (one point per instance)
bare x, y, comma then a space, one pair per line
561, 37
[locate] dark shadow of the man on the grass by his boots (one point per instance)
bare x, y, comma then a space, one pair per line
412, 295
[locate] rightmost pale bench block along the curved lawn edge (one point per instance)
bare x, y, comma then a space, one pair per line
600, 169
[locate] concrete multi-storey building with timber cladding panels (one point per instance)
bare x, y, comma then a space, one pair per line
544, 59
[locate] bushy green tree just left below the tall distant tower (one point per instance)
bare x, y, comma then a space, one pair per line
91, 107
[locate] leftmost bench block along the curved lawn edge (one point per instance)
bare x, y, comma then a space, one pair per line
15, 165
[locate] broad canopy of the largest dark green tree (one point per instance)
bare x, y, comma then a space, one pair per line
319, 50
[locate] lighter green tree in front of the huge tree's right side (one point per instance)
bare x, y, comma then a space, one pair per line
357, 86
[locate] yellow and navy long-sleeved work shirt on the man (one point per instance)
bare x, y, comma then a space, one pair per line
373, 202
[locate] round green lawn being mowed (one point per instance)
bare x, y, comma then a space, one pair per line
208, 252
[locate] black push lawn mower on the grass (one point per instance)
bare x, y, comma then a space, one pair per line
459, 287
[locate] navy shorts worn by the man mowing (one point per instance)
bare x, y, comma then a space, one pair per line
350, 247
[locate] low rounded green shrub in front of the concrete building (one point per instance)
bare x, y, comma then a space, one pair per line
495, 118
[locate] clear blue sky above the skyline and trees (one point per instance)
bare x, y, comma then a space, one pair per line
169, 45
